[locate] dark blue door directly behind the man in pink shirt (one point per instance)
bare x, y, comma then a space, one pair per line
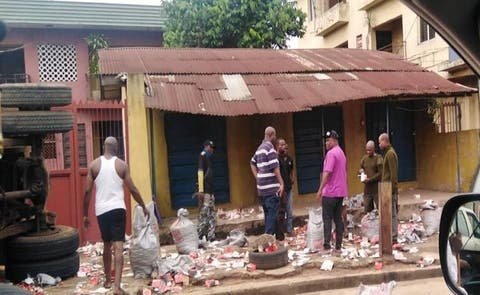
309, 128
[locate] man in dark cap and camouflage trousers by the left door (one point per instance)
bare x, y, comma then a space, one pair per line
207, 218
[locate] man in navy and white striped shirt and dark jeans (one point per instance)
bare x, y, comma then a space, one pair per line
266, 170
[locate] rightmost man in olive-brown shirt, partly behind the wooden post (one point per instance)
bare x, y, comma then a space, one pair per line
390, 174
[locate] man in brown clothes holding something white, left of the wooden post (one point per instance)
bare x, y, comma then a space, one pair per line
371, 165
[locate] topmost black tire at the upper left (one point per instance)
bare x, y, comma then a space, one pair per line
32, 96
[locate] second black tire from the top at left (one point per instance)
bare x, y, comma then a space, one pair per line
30, 123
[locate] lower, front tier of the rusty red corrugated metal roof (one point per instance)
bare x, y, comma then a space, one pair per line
282, 93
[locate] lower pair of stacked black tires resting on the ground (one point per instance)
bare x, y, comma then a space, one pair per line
53, 252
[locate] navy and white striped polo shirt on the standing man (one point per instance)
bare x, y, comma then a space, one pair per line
266, 160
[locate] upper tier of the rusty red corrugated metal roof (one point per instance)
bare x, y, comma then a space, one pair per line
157, 60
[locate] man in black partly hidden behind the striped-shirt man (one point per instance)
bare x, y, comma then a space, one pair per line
286, 170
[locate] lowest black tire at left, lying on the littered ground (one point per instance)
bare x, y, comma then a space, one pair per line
64, 267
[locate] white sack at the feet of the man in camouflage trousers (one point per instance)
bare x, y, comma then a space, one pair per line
184, 233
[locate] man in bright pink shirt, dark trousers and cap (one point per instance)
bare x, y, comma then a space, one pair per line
333, 189
